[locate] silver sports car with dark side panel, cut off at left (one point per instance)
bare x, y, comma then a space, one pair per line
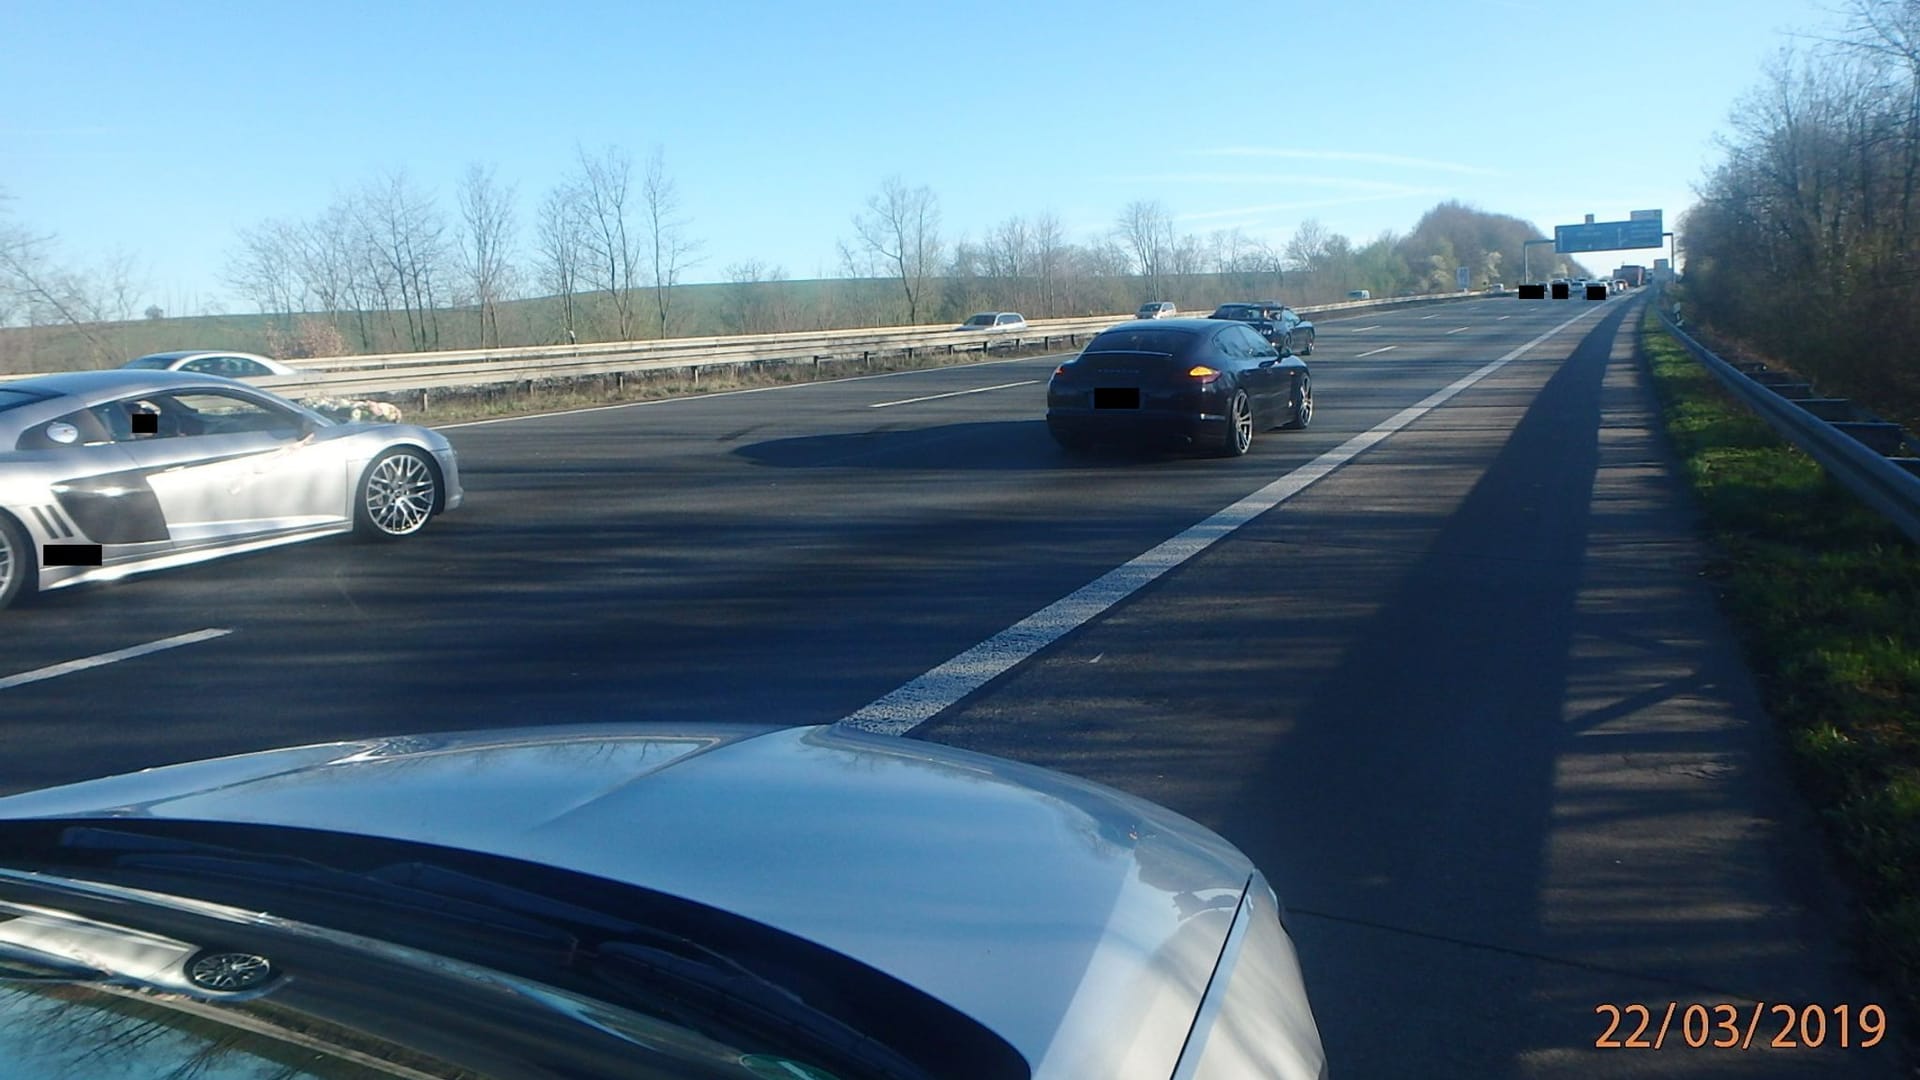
107, 474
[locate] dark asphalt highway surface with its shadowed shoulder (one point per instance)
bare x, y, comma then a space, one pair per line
1451, 675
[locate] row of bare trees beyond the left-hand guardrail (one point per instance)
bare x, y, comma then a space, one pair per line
391, 266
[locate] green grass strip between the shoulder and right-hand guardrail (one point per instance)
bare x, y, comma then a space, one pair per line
1827, 601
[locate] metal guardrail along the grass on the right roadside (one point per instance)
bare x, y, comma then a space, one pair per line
1833, 431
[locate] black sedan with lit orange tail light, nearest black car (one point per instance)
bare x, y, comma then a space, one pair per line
1205, 383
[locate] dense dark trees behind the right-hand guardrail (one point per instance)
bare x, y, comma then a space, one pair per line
1806, 241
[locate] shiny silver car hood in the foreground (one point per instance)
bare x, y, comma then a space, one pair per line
1072, 920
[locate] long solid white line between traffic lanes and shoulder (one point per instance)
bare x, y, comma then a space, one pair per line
926, 697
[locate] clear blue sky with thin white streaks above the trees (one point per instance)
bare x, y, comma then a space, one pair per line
164, 130
